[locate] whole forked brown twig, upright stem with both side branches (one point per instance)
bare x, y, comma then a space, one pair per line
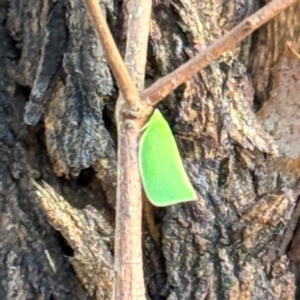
128, 231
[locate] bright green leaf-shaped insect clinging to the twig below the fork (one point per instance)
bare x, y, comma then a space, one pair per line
163, 176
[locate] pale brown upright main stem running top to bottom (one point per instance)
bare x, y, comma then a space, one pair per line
129, 279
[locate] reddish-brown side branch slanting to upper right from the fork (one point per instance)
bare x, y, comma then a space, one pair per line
164, 86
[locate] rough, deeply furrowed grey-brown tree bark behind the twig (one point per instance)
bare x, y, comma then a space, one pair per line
56, 104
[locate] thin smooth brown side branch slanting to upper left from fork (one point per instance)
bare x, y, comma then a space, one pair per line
113, 56
